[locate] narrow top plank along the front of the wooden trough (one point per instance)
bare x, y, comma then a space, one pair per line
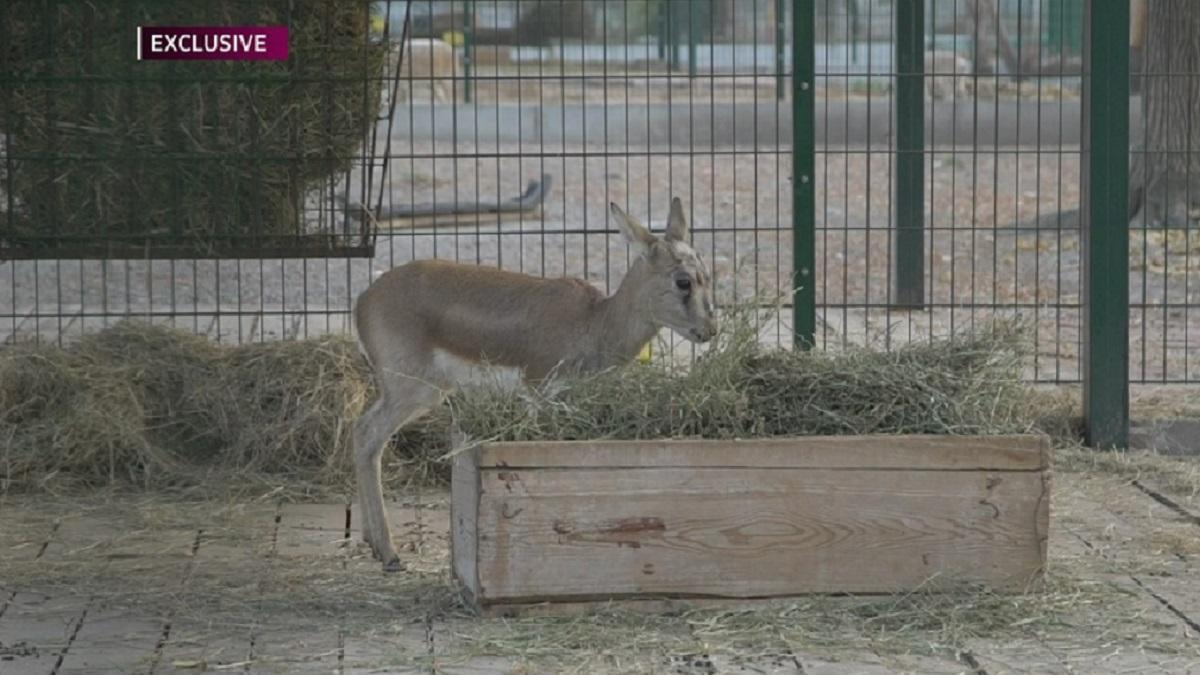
927, 453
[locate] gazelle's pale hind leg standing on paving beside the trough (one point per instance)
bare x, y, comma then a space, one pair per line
401, 401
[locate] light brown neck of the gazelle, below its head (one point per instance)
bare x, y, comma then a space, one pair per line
623, 324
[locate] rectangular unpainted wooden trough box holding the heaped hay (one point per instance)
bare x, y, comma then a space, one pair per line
580, 522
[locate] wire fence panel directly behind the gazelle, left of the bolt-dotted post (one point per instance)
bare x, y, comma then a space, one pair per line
627, 101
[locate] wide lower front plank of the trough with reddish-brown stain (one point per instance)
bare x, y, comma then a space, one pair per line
753, 533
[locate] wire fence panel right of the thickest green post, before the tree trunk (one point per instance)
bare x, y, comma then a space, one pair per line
1165, 283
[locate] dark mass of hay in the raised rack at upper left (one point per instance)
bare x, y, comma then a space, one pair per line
109, 147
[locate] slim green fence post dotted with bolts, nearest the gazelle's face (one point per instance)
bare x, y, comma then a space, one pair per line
805, 298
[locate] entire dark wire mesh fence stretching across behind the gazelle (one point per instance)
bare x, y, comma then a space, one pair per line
947, 174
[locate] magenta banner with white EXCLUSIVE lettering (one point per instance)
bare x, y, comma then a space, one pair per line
214, 44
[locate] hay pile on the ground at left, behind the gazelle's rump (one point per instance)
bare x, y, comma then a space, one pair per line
155, 407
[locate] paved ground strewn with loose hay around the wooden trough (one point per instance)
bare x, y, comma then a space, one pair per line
153, 583
